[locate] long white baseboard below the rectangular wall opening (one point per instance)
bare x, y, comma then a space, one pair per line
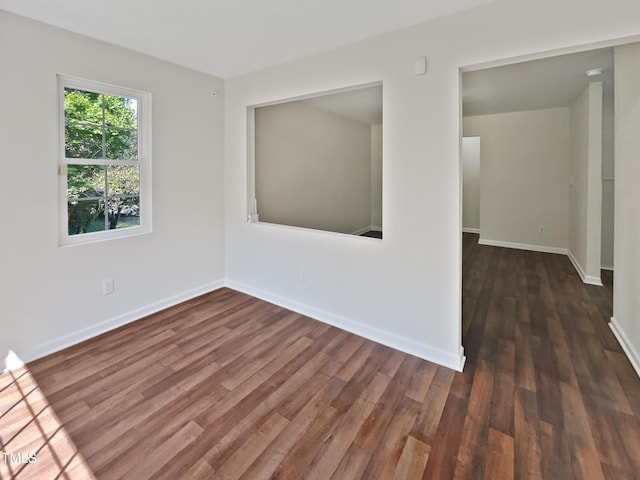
384, 337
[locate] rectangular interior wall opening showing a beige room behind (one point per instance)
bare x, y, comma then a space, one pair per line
316, 162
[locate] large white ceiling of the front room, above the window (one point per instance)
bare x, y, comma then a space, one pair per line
231, 37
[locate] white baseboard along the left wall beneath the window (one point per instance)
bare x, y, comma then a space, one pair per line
90, 331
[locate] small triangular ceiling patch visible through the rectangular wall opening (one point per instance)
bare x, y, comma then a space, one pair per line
363, 105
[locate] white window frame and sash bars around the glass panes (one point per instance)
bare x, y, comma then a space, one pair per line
143, 162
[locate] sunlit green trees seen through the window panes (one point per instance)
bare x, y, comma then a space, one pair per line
101, 148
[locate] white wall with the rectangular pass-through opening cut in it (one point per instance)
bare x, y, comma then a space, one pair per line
406, 289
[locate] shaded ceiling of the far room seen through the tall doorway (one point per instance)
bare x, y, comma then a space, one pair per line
545, 83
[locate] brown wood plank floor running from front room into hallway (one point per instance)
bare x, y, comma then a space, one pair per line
227, 386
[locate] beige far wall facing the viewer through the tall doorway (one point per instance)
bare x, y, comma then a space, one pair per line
524, 176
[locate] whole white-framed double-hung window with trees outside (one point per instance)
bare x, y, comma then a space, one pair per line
105, 164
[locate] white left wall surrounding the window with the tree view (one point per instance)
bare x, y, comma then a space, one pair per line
52, 296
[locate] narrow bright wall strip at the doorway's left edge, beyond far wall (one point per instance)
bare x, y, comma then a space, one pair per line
471, 184
